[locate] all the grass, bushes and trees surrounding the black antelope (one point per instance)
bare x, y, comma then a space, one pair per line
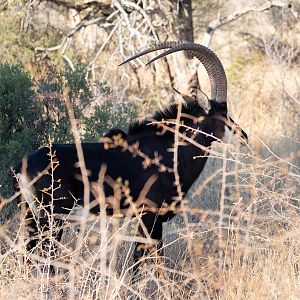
245, 244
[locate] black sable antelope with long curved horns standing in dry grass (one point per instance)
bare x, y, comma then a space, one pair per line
143, 153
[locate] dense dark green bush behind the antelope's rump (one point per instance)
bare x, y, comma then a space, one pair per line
20, 120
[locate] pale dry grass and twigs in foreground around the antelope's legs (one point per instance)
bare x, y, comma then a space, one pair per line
243, 245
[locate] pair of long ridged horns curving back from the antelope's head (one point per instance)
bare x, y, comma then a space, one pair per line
207, 57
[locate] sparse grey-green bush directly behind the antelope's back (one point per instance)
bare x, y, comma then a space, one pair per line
111, 113
